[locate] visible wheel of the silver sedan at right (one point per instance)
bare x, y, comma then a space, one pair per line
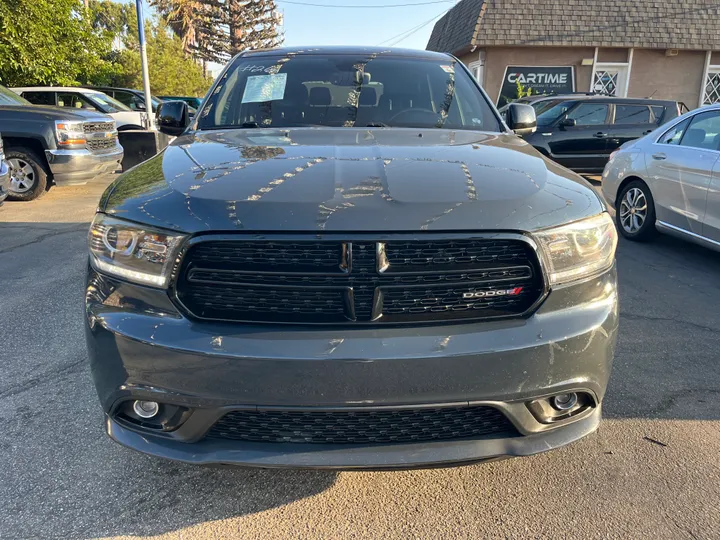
636, 212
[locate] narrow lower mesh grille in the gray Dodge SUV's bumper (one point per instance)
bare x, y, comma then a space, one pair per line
363, 427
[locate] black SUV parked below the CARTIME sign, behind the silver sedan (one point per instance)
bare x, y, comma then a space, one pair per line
580, 132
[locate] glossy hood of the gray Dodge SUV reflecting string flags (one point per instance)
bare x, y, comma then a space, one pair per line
347, 179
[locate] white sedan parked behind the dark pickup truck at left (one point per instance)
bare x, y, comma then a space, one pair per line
84, 98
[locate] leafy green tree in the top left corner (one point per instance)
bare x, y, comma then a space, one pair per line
50, 42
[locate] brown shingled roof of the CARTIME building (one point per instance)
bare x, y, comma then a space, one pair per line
677, 24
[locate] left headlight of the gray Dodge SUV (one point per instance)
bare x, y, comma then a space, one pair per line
133, 252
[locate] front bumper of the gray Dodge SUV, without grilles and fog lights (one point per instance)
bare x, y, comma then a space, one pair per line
142, 347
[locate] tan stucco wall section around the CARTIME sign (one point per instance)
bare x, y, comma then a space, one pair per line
498, 58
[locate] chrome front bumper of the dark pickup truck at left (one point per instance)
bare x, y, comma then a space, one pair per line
70, 167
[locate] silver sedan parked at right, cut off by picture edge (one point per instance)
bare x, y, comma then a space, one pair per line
669, 180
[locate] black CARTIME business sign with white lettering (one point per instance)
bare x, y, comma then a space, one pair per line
542, 80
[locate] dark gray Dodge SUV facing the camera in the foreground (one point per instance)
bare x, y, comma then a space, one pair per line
347, 260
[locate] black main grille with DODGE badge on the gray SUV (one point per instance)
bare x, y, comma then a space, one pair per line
355, 282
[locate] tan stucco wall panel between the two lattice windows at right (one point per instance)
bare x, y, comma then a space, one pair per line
667, 77
